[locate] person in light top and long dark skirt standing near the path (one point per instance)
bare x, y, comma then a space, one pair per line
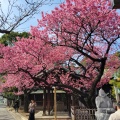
32, 107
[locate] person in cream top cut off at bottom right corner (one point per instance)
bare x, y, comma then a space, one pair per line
116, 115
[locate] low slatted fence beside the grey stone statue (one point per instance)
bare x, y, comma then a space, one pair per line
84, 114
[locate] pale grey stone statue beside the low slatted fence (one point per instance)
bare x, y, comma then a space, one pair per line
104, 106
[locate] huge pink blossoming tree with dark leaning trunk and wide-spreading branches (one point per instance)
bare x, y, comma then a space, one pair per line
88, 29
